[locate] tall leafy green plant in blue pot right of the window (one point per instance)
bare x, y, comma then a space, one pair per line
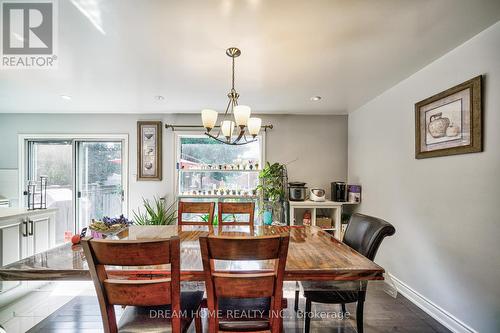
272, 188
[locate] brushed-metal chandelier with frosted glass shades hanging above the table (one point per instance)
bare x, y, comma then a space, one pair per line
241, 114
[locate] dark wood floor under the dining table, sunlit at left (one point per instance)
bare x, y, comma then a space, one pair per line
383, 313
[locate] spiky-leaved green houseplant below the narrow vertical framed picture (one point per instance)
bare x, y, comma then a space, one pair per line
156, 213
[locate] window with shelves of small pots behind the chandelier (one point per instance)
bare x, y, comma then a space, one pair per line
208, 168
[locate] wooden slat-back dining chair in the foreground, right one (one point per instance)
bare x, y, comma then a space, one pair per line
258, 292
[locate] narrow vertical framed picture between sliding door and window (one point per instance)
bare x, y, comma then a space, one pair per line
149, 150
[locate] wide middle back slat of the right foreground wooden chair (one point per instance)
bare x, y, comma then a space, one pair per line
244, 287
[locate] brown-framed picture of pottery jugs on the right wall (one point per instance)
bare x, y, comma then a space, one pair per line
450, 122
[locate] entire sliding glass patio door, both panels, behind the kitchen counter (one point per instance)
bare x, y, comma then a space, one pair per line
85, 179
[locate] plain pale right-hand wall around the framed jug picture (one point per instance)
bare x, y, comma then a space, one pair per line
446, 209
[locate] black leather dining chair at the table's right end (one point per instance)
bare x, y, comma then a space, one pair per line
364, 234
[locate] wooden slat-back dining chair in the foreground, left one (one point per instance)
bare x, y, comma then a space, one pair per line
151, 305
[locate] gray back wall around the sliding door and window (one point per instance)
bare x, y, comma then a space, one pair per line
318, 144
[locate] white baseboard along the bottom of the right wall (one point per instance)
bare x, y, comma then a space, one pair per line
445, 318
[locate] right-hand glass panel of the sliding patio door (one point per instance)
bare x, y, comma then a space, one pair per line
100, 180
